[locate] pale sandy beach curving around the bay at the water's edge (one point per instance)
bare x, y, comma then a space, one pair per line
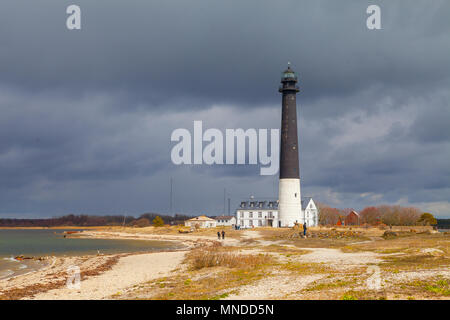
49, 281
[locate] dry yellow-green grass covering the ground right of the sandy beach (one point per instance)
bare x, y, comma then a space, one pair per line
217, 272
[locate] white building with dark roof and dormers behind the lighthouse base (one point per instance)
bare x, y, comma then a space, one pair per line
263, 213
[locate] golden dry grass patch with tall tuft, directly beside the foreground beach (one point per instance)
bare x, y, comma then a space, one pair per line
213, 273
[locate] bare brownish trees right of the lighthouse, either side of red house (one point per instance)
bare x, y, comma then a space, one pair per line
393, 215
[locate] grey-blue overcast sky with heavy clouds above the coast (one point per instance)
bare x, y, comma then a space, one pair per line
86, 115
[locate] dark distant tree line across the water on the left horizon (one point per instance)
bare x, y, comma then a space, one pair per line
83, 220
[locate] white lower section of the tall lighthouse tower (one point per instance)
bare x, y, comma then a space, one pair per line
290, 208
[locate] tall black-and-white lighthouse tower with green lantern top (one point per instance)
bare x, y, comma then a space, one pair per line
290, 208
